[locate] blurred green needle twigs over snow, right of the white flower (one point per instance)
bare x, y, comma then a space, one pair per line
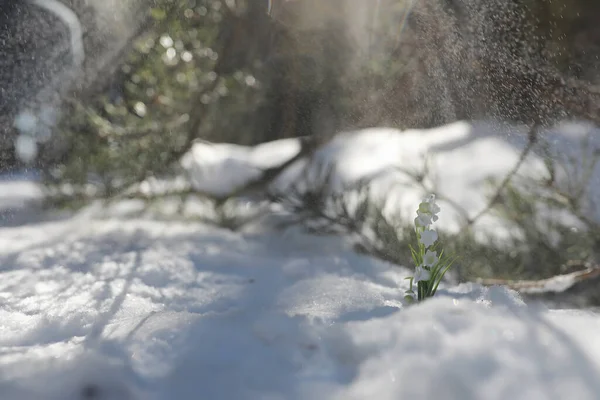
552, 229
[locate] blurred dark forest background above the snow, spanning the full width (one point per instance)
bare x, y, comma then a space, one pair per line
150, 79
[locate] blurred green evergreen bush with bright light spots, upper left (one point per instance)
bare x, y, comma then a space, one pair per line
166, 94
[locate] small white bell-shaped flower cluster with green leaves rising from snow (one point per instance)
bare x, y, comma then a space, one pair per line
429, 266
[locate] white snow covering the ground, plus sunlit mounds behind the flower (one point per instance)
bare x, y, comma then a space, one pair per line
109, 305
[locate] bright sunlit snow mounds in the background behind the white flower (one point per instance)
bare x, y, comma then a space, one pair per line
459, 160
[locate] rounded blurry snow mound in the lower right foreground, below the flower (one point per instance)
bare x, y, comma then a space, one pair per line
464, 350
